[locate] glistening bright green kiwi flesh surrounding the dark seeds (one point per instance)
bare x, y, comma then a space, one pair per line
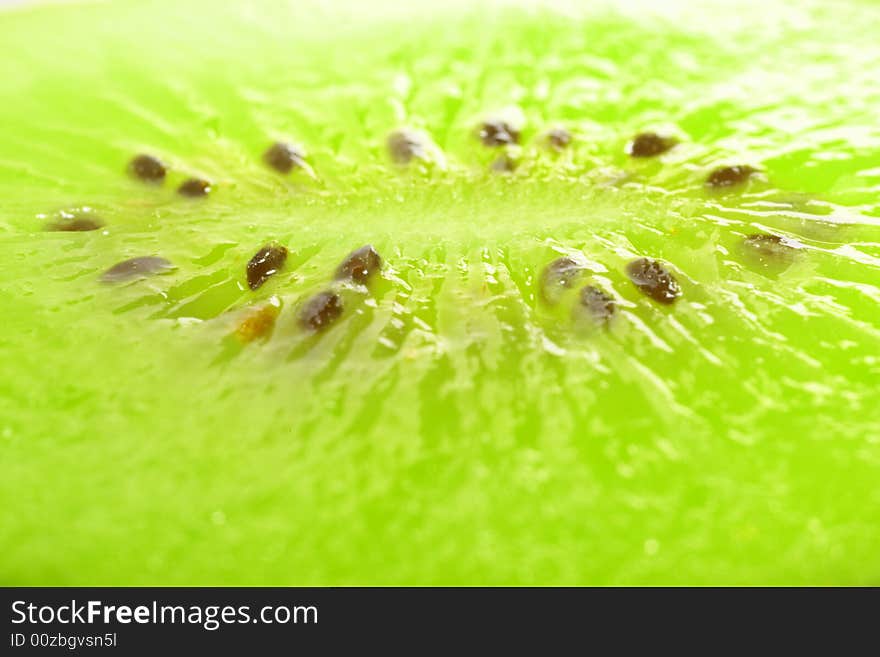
444, 425
